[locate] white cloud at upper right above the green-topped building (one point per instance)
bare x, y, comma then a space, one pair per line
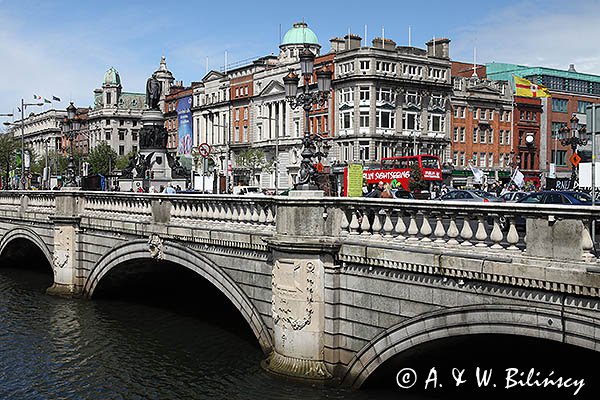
550, 34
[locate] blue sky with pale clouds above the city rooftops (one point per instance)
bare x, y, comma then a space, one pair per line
63, 48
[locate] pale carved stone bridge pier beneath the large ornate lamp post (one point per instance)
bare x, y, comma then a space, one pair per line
303, 248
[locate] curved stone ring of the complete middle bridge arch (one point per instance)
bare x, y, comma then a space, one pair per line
200, 264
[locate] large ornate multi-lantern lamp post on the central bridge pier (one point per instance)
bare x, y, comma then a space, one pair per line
306, 100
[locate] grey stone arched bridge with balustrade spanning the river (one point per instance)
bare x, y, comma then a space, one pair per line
334, 287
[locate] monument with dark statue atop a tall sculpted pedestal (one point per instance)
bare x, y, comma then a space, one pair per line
153, 166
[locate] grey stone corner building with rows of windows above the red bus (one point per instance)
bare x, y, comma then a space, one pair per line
390, 100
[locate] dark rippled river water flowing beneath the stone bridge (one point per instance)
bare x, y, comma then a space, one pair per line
106, 348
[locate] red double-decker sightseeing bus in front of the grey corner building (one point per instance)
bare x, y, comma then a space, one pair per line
396, 170
